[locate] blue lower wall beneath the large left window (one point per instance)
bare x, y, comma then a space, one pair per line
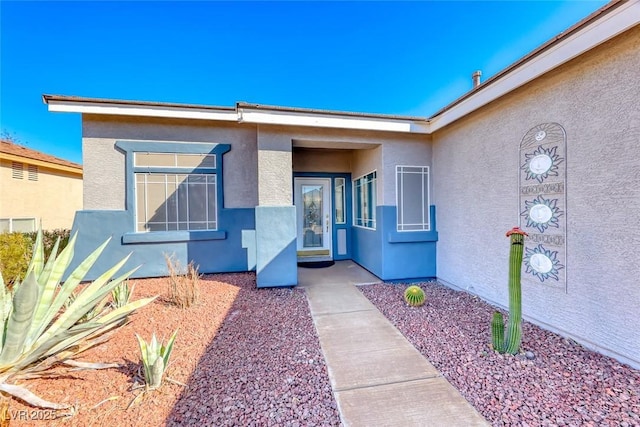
214, 253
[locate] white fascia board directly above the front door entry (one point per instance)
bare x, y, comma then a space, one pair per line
248, 115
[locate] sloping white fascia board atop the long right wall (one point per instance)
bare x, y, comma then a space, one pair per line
616, 22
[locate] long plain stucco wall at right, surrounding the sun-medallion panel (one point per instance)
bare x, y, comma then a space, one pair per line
596, 99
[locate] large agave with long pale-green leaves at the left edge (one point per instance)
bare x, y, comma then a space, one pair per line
38, 333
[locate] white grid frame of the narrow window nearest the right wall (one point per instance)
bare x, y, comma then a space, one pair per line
425, 225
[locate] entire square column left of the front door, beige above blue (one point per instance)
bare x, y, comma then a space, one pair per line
276, 257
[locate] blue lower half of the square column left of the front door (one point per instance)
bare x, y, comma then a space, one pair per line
276, 257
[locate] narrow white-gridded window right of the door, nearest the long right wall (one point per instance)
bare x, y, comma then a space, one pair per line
412, 192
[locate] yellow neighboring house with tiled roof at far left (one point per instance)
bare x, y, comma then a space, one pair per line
37, 190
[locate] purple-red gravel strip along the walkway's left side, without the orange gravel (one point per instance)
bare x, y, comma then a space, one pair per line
264, 367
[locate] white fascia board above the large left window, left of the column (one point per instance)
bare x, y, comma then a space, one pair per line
139, 110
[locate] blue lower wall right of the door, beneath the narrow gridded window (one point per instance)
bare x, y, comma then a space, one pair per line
394, 255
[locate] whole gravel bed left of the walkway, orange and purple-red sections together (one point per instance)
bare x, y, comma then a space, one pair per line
249, 357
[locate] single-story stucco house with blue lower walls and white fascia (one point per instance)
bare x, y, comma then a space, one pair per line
550, 143
